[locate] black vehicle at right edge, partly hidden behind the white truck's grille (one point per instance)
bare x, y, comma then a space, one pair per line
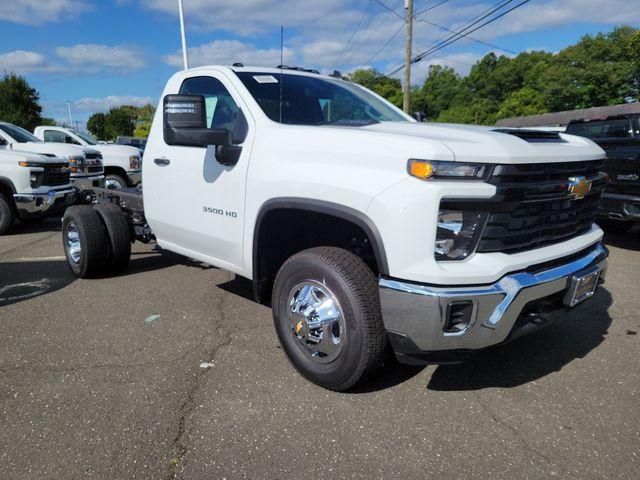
619, 136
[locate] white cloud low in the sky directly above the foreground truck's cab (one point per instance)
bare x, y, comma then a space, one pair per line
227, 52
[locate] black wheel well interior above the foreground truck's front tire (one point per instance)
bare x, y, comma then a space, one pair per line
283, 231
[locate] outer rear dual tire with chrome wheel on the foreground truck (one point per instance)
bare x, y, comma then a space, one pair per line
85, 241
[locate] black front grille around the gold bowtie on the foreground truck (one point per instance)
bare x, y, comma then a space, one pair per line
533, 207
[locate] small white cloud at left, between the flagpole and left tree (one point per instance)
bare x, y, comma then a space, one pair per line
94, 58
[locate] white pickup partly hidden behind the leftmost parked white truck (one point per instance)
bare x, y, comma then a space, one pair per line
85, 164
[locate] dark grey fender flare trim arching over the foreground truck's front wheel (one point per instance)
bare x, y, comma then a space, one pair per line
328, 208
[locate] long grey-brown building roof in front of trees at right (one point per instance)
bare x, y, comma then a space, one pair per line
563, 118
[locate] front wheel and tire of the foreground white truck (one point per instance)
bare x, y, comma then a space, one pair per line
327, 315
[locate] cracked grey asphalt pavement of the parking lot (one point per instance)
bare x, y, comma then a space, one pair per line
93, 384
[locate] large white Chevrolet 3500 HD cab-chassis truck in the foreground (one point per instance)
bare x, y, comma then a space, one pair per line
364, 230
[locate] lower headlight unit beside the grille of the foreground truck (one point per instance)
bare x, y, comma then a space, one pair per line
458, 234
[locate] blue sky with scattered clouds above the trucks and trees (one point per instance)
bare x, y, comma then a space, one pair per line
105, 53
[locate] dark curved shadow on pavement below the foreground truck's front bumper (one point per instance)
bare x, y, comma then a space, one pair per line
534, 356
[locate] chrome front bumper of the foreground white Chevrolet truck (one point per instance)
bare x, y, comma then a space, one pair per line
415, 314
